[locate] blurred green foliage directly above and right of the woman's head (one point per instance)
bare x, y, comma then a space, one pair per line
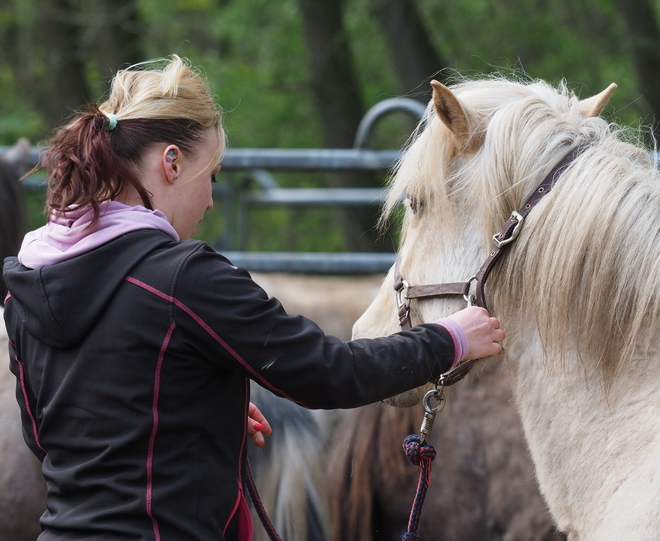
253, 53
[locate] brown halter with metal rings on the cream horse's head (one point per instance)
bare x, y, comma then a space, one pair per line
509, 232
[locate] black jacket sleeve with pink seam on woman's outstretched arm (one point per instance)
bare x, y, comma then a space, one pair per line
233, 323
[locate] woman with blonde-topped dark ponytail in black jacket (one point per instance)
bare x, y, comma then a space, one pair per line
133, 346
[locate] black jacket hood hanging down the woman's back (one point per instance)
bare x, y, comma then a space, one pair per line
58, 304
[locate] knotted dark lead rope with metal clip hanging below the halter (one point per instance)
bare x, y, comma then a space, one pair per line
420, 453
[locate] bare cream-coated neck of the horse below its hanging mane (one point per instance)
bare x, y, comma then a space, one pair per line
586, 440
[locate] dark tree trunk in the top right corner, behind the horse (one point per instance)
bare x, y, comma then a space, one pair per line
644, 36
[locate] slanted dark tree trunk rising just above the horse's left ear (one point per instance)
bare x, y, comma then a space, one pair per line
413, 57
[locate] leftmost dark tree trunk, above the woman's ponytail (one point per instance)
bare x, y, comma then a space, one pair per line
65, 71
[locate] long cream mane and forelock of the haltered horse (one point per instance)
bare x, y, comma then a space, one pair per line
587, 264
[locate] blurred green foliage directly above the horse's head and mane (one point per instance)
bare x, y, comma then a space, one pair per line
581, 41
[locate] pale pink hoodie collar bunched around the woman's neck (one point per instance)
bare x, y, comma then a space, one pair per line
67, 236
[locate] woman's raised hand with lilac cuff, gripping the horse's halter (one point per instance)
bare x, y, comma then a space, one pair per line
483, 332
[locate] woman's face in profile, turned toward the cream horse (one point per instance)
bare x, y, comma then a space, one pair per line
192, 193
